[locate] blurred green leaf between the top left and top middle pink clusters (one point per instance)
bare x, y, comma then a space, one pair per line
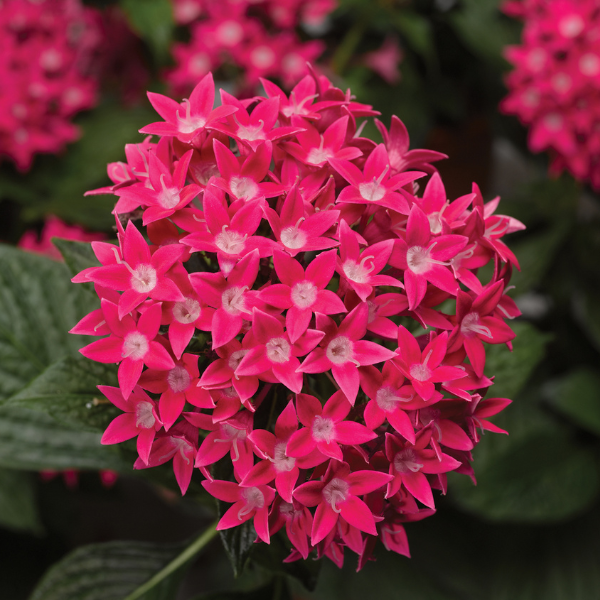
153, 21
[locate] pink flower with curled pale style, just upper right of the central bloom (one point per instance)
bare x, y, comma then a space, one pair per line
360, 270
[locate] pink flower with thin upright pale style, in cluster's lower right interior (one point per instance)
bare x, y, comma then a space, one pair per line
424, 369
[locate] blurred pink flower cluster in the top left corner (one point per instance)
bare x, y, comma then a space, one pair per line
46, 50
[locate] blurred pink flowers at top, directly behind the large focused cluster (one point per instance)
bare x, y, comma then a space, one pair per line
259, 37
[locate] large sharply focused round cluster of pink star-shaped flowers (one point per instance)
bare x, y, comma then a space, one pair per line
301, 318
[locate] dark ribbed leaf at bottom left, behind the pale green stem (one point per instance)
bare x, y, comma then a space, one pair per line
109, 571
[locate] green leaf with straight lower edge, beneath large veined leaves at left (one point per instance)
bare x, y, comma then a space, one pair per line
33, 440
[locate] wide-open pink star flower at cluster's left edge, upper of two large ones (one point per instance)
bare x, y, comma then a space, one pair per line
139, 274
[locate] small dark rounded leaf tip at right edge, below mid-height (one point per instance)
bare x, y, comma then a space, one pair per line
577, 396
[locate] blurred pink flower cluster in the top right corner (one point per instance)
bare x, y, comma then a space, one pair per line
555, 87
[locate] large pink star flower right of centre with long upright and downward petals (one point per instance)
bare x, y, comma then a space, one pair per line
425, 260
